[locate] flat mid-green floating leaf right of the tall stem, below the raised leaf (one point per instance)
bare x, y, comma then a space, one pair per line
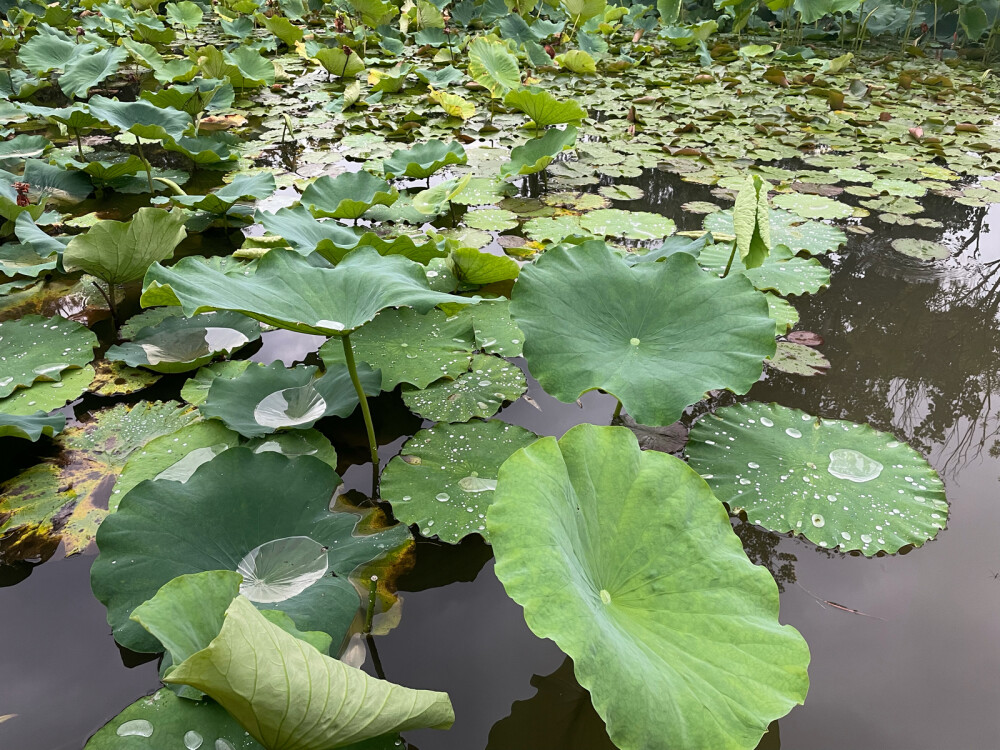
409, 348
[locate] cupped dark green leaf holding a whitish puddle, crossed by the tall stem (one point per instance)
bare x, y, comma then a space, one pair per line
266, 398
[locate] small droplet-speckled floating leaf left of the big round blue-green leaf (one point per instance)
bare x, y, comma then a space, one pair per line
480, 392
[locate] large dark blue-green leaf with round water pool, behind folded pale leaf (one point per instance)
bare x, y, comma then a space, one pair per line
225, 517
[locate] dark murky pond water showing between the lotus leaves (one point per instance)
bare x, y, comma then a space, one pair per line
904, 650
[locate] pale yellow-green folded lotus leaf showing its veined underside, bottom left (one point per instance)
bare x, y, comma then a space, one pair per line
312, 702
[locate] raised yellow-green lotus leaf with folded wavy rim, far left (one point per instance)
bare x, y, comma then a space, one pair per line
121, 251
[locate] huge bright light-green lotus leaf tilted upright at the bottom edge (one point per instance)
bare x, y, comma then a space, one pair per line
627, 561
